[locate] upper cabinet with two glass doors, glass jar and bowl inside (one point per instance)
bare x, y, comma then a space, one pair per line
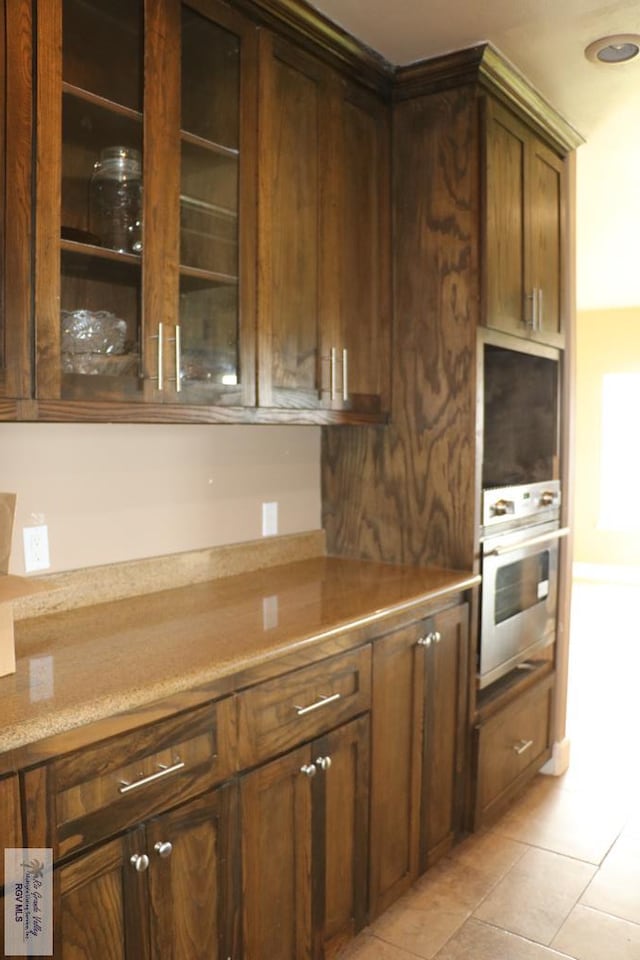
140, 187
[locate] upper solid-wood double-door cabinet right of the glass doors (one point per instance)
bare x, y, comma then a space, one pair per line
324, 236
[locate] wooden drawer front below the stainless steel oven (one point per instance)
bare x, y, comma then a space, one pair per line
513, 741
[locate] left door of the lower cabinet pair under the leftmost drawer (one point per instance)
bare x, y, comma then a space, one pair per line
100, 904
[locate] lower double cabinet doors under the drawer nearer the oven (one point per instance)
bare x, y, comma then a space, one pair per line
304, 825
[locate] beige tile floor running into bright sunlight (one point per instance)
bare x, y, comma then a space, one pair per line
559, 875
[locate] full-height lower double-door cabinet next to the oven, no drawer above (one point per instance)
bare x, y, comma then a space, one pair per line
420, 676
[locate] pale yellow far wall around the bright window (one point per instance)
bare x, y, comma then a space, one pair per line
608, 341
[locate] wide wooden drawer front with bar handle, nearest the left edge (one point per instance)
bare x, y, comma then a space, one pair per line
96, 792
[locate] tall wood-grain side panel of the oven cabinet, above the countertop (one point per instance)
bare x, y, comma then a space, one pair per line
407, 494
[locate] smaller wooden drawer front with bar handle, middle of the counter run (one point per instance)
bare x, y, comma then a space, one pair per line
277, 715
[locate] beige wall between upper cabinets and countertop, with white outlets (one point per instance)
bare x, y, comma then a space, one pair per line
118, 492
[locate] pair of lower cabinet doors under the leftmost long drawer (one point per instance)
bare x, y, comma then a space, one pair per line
164, 891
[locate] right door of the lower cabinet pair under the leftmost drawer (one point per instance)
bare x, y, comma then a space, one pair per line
194, 879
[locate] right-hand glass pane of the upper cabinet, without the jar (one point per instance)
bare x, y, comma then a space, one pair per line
210, 358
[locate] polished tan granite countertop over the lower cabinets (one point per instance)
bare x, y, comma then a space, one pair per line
84, 665
